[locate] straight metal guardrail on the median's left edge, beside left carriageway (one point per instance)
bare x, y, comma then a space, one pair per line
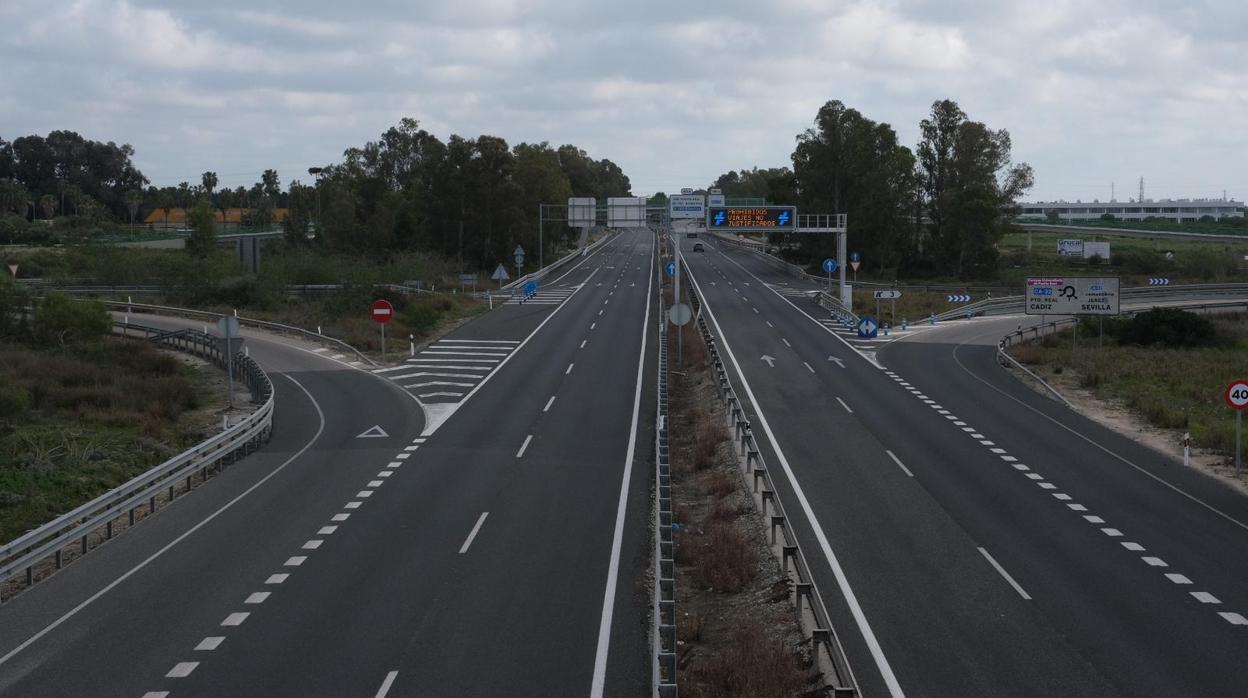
665, 612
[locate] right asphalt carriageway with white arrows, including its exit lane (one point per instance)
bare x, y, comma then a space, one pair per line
970, 536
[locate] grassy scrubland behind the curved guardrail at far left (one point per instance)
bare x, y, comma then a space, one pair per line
78, 421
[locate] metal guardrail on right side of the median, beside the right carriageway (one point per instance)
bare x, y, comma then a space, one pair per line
828, 655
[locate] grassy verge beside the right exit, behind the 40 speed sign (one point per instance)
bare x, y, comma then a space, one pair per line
1175, 389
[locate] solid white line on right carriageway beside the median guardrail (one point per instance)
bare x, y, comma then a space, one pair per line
843, 582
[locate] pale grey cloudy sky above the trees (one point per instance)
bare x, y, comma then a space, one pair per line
675, 93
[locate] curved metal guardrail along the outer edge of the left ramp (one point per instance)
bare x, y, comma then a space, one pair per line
84, 523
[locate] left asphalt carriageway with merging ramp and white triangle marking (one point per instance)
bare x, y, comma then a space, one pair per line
490, 544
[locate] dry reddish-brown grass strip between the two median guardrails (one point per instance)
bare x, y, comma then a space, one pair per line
737, 632
